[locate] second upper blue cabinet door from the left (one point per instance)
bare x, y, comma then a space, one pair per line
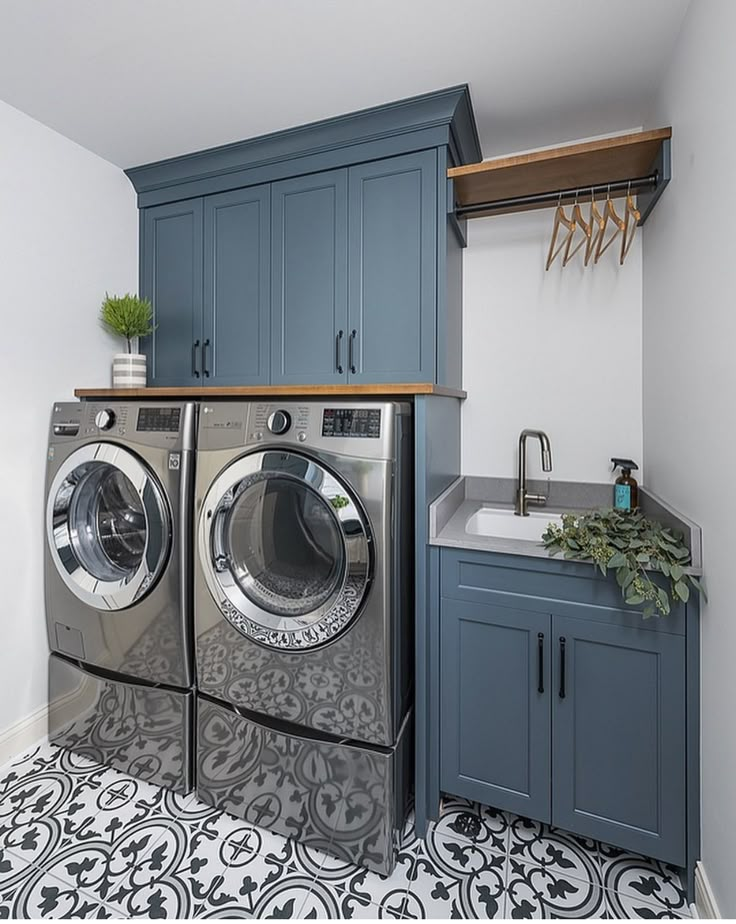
237, 250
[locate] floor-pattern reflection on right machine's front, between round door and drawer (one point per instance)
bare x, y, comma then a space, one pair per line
335, 689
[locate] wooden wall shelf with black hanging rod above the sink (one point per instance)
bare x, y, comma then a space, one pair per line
486, 188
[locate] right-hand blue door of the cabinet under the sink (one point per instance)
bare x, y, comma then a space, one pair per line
619, 735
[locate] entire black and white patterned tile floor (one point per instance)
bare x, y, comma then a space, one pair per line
79, 840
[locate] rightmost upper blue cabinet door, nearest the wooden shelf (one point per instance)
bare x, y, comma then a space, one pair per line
393, 269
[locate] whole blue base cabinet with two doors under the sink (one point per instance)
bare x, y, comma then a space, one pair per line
557, 702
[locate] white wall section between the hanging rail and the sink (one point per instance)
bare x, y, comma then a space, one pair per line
558, 350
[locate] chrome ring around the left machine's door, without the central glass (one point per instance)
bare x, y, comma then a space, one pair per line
110, 595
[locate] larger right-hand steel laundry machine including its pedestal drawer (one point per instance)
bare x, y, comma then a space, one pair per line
303, 595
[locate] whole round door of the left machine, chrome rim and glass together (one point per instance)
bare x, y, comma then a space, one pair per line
108, 526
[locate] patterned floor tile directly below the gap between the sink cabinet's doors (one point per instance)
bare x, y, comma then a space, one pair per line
537, 844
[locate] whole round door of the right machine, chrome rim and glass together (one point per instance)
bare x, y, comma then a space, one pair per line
285, 548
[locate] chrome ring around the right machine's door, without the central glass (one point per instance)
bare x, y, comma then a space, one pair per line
272, 629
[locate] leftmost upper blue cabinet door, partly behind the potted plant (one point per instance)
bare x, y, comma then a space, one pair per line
171, 277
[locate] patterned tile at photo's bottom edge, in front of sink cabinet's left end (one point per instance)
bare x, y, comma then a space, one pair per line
452, 879
